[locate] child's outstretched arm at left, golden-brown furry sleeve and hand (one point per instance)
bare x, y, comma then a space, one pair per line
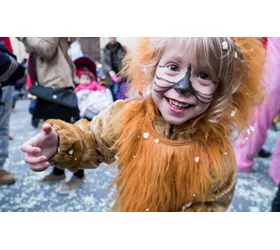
82, 145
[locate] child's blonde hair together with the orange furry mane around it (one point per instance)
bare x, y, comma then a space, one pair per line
240, 62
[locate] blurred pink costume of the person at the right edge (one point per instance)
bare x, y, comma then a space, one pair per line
264, 116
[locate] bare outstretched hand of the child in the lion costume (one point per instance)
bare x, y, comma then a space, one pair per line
40, 148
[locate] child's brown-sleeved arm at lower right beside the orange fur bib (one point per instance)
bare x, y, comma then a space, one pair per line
220, 199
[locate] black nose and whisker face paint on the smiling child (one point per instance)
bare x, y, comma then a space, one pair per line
184, 86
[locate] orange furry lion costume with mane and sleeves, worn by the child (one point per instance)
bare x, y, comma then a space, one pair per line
189, 167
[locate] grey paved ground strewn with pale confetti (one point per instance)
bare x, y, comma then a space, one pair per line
254, 191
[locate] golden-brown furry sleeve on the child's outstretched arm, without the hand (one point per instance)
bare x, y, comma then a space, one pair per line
86, 144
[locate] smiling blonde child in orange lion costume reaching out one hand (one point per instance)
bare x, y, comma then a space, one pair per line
172, 142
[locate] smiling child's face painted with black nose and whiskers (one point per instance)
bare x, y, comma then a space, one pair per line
180, 89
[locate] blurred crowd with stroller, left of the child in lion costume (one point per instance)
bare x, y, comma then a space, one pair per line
62, 82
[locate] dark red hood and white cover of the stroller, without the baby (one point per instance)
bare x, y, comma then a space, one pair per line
90, 103
